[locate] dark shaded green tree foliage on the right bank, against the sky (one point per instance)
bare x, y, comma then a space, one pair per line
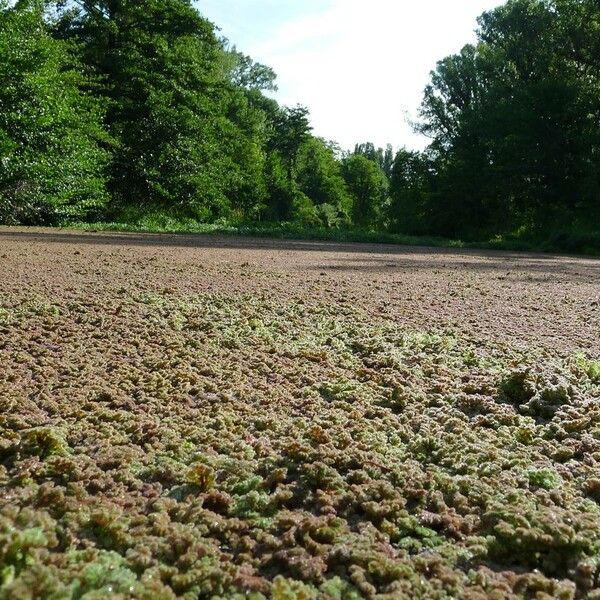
514, 123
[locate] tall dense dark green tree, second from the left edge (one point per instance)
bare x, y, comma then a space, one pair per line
187, 136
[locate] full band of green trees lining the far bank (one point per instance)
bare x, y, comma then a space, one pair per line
111, 109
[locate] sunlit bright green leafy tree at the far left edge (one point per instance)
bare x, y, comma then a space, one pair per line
51, 135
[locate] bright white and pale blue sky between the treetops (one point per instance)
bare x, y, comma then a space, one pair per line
360, 66
